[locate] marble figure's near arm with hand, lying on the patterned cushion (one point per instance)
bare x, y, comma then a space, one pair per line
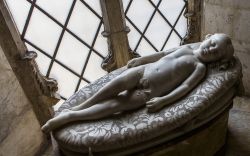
158, 102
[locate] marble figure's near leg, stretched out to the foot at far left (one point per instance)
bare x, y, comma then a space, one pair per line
121, 103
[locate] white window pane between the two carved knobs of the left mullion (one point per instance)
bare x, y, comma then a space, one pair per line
41, 60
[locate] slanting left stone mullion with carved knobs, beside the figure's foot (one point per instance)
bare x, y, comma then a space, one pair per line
41, 91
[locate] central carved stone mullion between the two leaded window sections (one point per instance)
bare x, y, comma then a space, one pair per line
115, 30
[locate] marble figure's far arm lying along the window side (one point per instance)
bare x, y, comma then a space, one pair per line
150, 58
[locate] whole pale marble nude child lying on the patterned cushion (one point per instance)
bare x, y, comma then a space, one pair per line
155, 81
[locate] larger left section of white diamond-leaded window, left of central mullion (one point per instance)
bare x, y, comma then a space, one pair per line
66, 34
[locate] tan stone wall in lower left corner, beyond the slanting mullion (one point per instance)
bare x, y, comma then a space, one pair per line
20, 133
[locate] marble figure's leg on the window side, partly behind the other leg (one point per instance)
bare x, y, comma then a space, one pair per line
126, 81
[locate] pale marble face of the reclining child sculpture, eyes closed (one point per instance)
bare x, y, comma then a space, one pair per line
212, 49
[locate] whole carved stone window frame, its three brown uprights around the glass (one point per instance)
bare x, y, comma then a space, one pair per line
40, 90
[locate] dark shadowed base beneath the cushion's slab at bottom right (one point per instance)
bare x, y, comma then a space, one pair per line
204, 141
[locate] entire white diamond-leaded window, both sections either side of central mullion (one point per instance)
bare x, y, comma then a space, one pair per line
66, 34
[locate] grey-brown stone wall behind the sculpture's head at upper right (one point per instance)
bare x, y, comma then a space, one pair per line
233, 18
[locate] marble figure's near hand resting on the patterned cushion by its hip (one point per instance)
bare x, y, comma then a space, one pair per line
155, 104
